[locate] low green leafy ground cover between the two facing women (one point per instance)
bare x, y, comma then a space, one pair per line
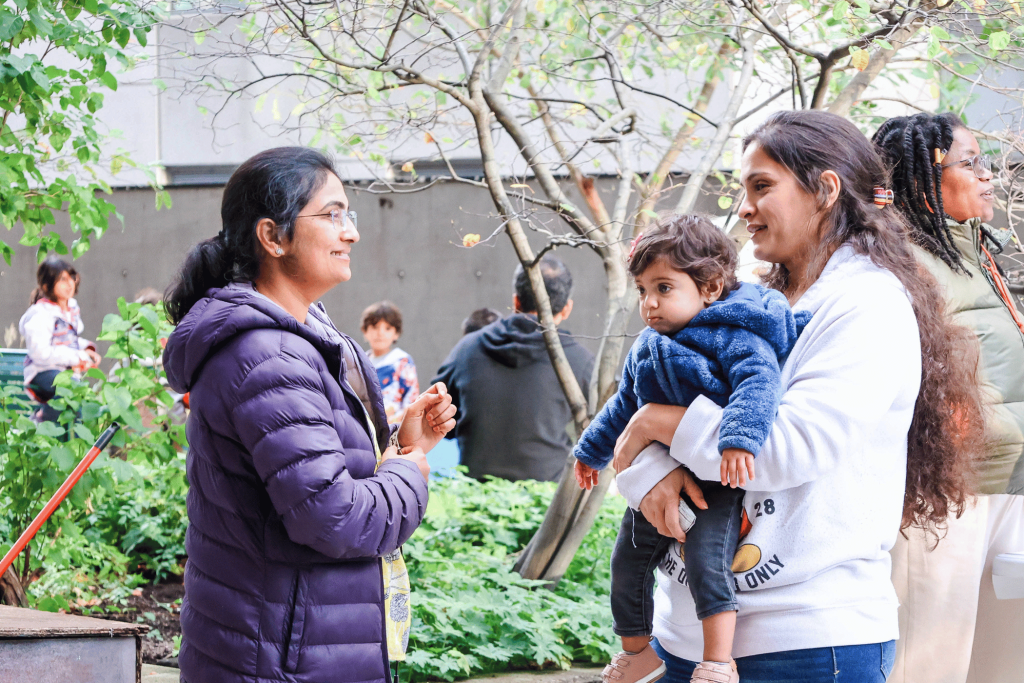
474, 615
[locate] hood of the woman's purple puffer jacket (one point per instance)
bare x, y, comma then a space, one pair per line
233, 311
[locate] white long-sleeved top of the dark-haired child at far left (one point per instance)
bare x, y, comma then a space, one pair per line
52, 335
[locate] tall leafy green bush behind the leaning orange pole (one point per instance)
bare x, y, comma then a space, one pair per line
114, 520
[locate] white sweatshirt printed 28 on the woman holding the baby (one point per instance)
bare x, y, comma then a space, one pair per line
827, 504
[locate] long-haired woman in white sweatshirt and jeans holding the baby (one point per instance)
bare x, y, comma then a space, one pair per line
873, 435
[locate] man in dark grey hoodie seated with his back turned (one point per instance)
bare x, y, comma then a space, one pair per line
514, 415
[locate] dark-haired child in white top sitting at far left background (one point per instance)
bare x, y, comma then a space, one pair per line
51, 329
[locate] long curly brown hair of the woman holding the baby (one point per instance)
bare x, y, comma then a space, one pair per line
947, 436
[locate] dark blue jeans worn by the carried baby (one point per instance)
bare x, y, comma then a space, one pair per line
710, 548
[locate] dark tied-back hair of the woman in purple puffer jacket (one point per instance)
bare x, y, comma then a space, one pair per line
275, 185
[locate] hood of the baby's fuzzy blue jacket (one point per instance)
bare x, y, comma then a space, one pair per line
757, 310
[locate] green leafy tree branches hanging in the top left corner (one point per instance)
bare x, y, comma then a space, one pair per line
56, 61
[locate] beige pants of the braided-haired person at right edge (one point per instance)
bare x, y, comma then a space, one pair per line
953, 629
